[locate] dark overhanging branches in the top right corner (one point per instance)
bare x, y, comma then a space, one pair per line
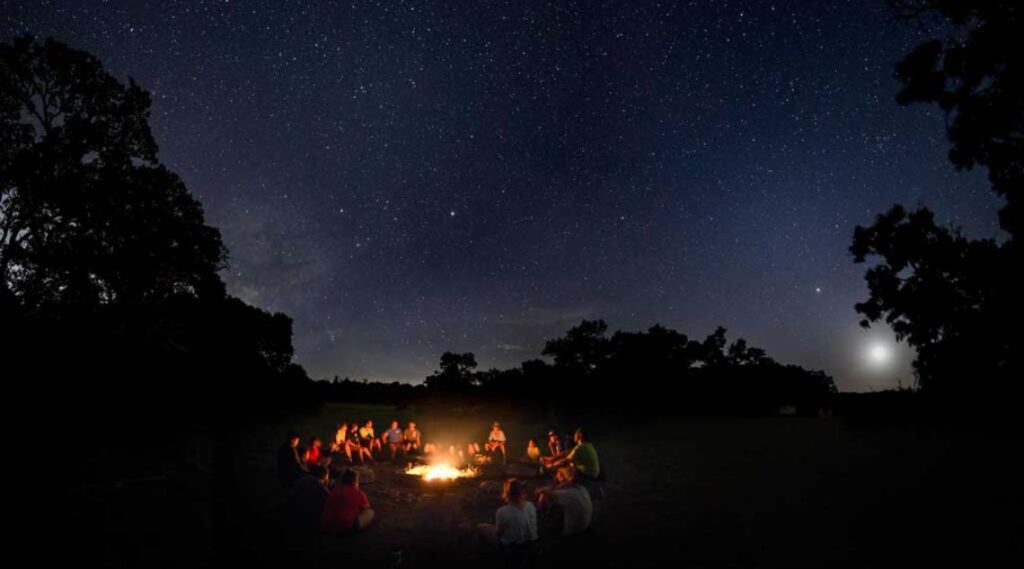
976, 76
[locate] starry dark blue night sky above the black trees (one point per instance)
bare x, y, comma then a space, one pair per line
405, 179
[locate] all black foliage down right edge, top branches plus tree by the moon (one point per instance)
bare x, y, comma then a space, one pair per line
960, 302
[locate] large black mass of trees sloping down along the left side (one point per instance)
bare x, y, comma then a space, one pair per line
110, 292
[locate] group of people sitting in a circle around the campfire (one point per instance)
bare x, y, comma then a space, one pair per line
344, 508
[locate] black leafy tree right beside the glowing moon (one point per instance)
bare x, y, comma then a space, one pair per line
948, 296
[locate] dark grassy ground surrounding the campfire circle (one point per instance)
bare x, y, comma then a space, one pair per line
751, 493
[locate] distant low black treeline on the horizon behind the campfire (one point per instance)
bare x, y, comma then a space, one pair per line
659, 370
